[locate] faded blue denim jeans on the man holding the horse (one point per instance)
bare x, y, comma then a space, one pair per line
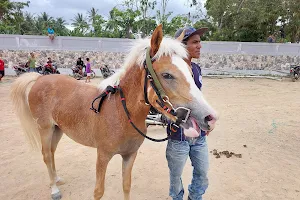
177, 153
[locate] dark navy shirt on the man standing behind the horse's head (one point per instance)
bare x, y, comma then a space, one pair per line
198, 80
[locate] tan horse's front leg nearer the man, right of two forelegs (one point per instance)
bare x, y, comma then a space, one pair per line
128, 161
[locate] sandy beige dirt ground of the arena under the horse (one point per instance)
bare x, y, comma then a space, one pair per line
259, 119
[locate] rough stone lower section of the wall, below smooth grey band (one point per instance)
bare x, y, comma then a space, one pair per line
67, 59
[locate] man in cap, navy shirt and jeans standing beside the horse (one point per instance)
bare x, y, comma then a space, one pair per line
179, 146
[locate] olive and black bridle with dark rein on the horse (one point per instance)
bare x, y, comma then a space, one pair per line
180, 113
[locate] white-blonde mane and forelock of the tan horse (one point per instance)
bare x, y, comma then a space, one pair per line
137, 56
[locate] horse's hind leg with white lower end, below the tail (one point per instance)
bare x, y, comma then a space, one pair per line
46, 139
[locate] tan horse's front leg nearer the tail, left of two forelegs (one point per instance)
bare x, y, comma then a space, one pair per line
102, 161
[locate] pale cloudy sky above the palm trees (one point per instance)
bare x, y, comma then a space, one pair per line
69, 8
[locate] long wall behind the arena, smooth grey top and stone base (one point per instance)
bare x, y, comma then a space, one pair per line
215, 56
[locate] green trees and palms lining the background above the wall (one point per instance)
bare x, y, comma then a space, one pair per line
227, 20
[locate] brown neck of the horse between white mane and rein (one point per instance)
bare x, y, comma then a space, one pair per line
133, 89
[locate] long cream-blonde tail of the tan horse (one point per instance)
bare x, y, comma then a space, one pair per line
19, 94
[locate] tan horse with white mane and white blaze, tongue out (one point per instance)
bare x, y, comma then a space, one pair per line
49, 106
